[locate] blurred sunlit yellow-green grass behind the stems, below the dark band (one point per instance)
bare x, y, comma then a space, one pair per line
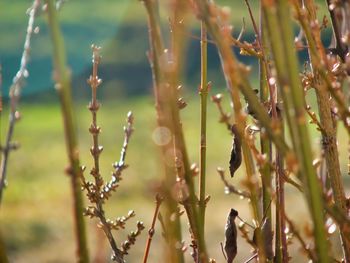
36, 215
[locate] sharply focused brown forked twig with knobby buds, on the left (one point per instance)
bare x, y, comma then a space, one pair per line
98, 191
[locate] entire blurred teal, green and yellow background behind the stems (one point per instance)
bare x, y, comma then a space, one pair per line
35, 217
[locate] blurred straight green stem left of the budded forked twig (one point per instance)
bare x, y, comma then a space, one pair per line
63, 85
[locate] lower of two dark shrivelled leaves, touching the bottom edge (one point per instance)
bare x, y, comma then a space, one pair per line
231, 236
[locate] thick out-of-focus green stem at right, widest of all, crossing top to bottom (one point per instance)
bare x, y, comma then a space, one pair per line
279, 27
